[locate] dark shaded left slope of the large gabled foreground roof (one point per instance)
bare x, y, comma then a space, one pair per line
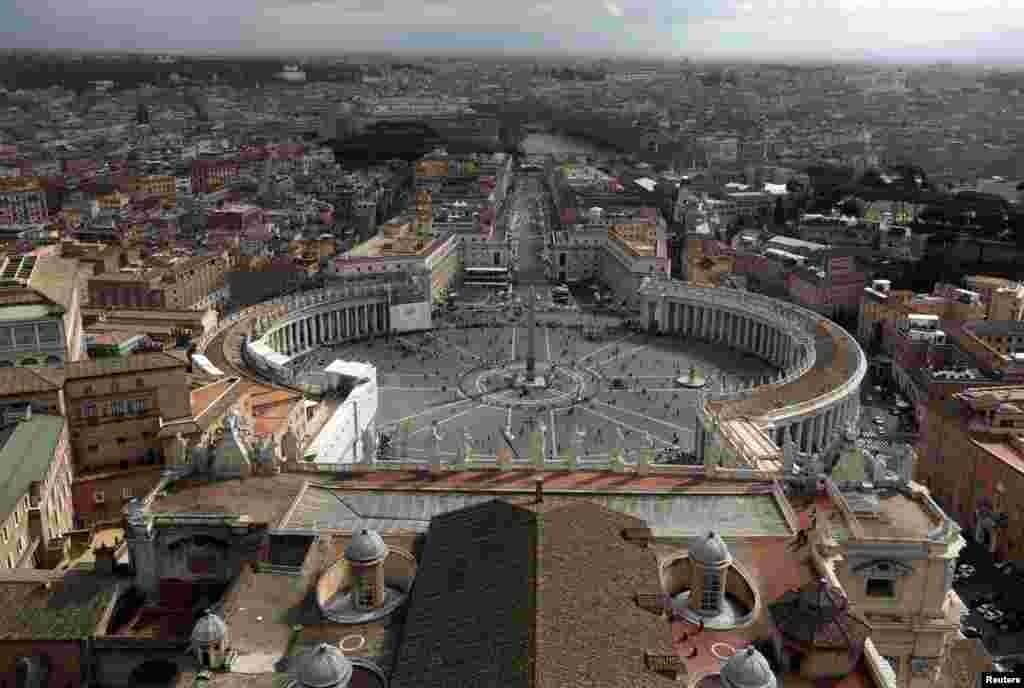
471, 619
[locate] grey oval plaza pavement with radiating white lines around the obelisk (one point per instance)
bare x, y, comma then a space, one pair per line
613, 389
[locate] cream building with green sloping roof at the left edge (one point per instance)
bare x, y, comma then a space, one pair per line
36, 508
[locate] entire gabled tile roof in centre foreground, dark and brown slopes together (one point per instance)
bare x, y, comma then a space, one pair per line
508, 597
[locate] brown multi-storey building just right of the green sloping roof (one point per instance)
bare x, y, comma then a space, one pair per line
117, 409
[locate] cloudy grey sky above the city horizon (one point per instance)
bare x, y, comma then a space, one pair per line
959, 30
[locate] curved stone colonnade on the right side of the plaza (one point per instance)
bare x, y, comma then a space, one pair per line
822, 366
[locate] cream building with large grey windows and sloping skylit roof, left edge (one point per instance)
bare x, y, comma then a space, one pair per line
40, 312
